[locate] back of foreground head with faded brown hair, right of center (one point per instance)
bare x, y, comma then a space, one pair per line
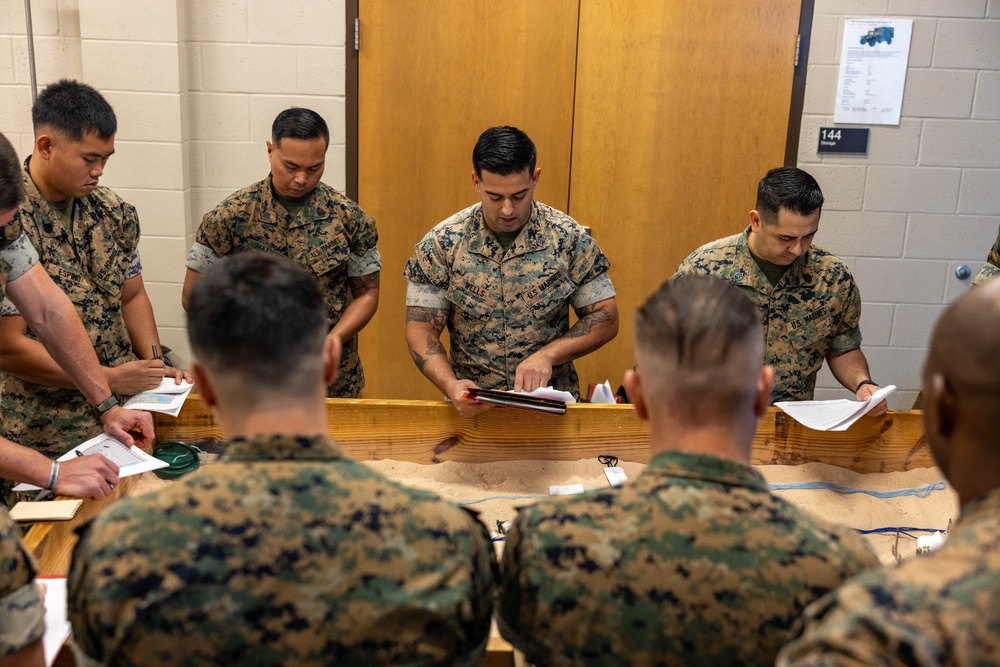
699, 349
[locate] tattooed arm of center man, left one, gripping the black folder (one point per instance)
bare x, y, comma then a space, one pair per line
423, 336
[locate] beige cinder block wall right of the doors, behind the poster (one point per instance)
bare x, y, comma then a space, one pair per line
926, 198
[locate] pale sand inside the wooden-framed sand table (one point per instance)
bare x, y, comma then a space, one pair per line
526, 479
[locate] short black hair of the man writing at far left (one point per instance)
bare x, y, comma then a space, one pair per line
74, 109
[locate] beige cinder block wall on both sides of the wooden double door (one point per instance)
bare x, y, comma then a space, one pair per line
197, 83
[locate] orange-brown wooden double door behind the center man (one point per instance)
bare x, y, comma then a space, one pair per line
653, 119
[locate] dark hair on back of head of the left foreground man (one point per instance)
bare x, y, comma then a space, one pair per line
259, 316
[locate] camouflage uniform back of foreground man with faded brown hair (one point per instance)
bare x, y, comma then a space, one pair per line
694, 562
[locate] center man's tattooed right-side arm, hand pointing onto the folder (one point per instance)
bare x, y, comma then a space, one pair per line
597, 324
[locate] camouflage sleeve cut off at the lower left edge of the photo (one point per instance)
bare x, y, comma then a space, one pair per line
21, 610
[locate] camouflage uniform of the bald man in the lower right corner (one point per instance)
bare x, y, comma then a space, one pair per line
939, 609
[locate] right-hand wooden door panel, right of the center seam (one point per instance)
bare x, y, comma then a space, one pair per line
680, 109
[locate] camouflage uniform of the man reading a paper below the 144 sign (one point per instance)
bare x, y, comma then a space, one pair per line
814, 310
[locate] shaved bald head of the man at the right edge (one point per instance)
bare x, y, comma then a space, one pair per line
962, 391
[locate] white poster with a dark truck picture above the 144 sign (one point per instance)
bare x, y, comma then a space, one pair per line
873, 61
